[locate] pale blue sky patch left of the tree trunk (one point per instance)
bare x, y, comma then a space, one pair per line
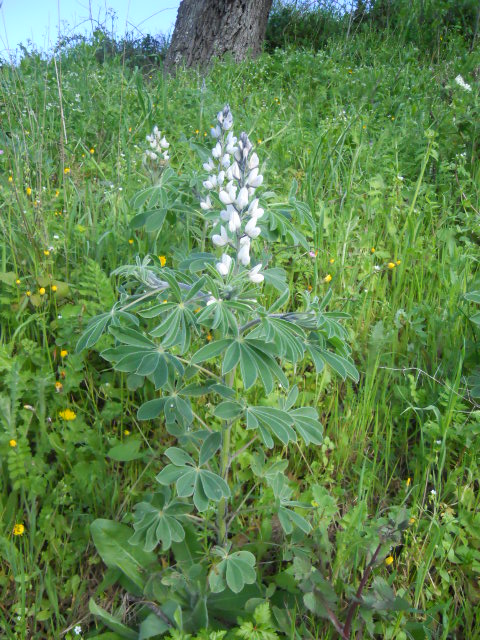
38, 20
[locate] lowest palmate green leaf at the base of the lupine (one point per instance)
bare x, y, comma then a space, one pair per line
235, 570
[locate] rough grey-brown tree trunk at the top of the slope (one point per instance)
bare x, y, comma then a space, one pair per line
207, 28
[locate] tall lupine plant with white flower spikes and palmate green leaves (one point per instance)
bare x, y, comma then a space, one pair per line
212, 340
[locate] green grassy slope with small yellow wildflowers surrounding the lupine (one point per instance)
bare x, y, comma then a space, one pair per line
383, 148
